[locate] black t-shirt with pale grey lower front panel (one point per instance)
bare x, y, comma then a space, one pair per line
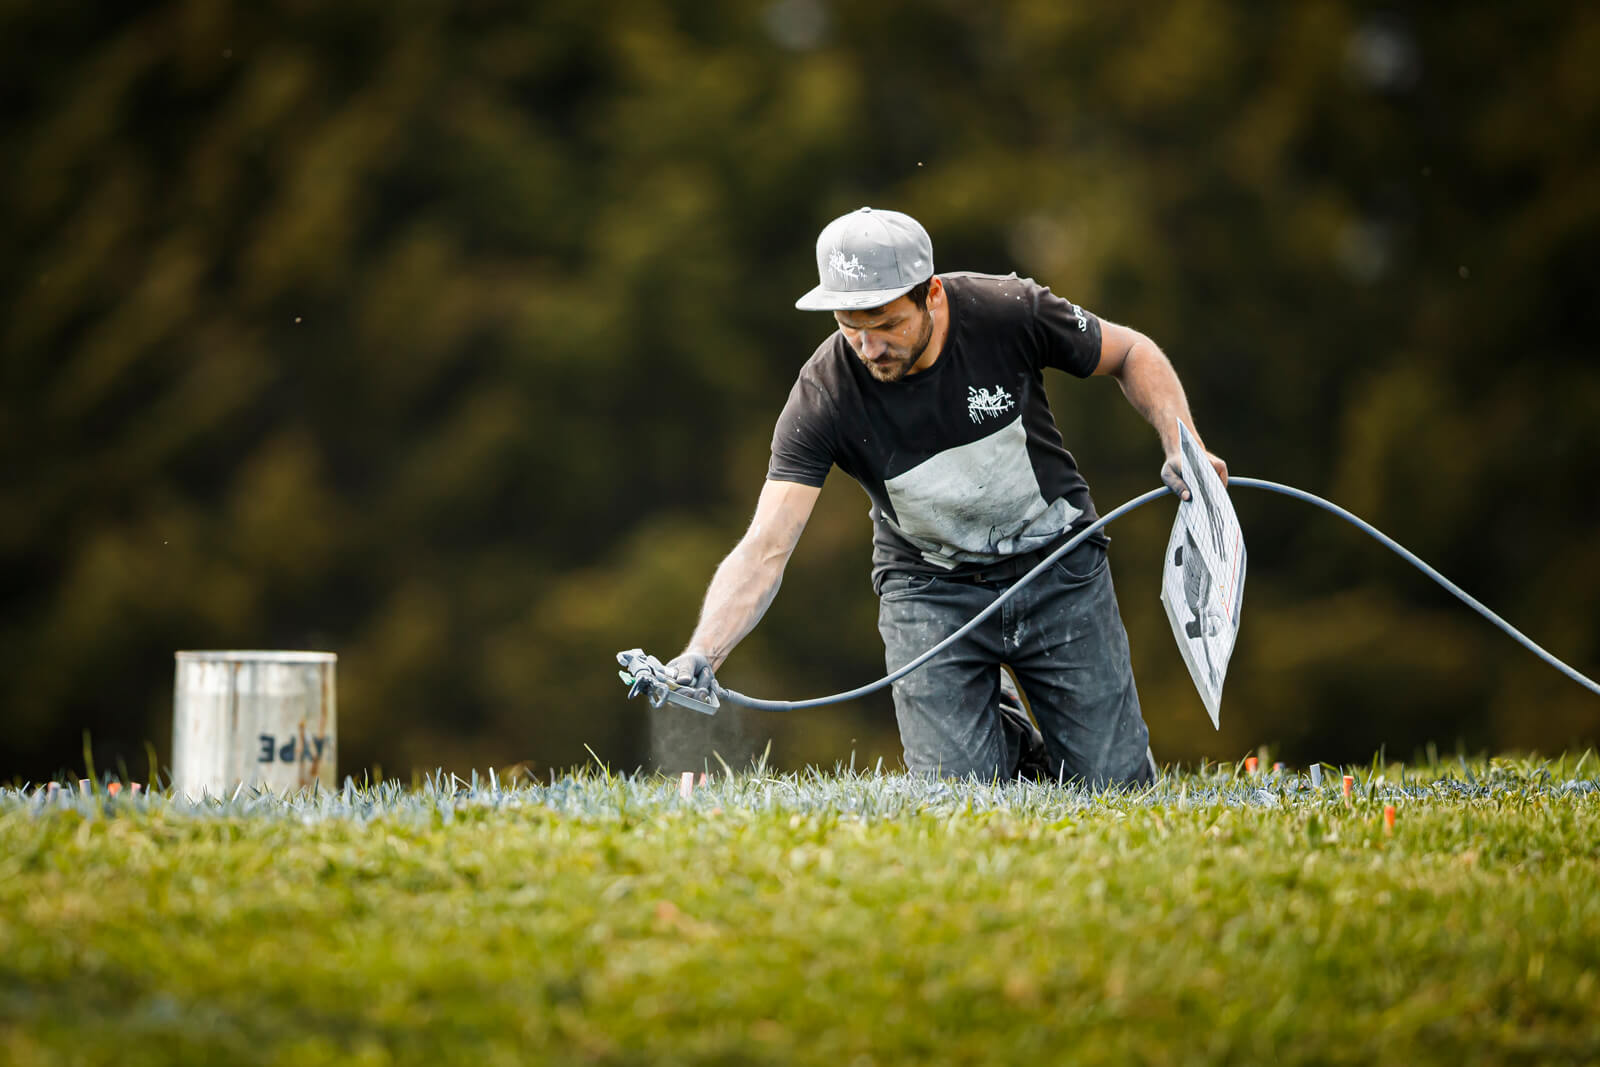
964, 462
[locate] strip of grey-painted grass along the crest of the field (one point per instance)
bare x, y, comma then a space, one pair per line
601, 794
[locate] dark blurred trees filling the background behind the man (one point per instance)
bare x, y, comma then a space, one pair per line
449, 337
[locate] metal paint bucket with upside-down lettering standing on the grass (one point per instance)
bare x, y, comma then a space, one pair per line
254, 719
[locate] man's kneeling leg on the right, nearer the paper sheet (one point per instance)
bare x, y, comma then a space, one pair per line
1071, 653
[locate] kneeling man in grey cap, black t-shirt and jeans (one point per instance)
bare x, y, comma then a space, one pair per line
932, 396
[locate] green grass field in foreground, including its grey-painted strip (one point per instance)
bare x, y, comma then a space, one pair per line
823, 919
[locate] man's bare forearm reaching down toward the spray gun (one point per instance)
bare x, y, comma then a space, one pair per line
746, 583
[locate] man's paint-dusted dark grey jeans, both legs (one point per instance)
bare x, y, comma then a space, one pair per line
1065, 641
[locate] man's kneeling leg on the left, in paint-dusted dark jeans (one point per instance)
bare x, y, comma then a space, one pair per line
946, 709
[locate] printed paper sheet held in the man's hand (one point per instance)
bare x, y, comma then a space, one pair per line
1204, 575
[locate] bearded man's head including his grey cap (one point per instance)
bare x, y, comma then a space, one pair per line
876, 274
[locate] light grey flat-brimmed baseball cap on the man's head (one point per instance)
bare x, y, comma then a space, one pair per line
866, 260
